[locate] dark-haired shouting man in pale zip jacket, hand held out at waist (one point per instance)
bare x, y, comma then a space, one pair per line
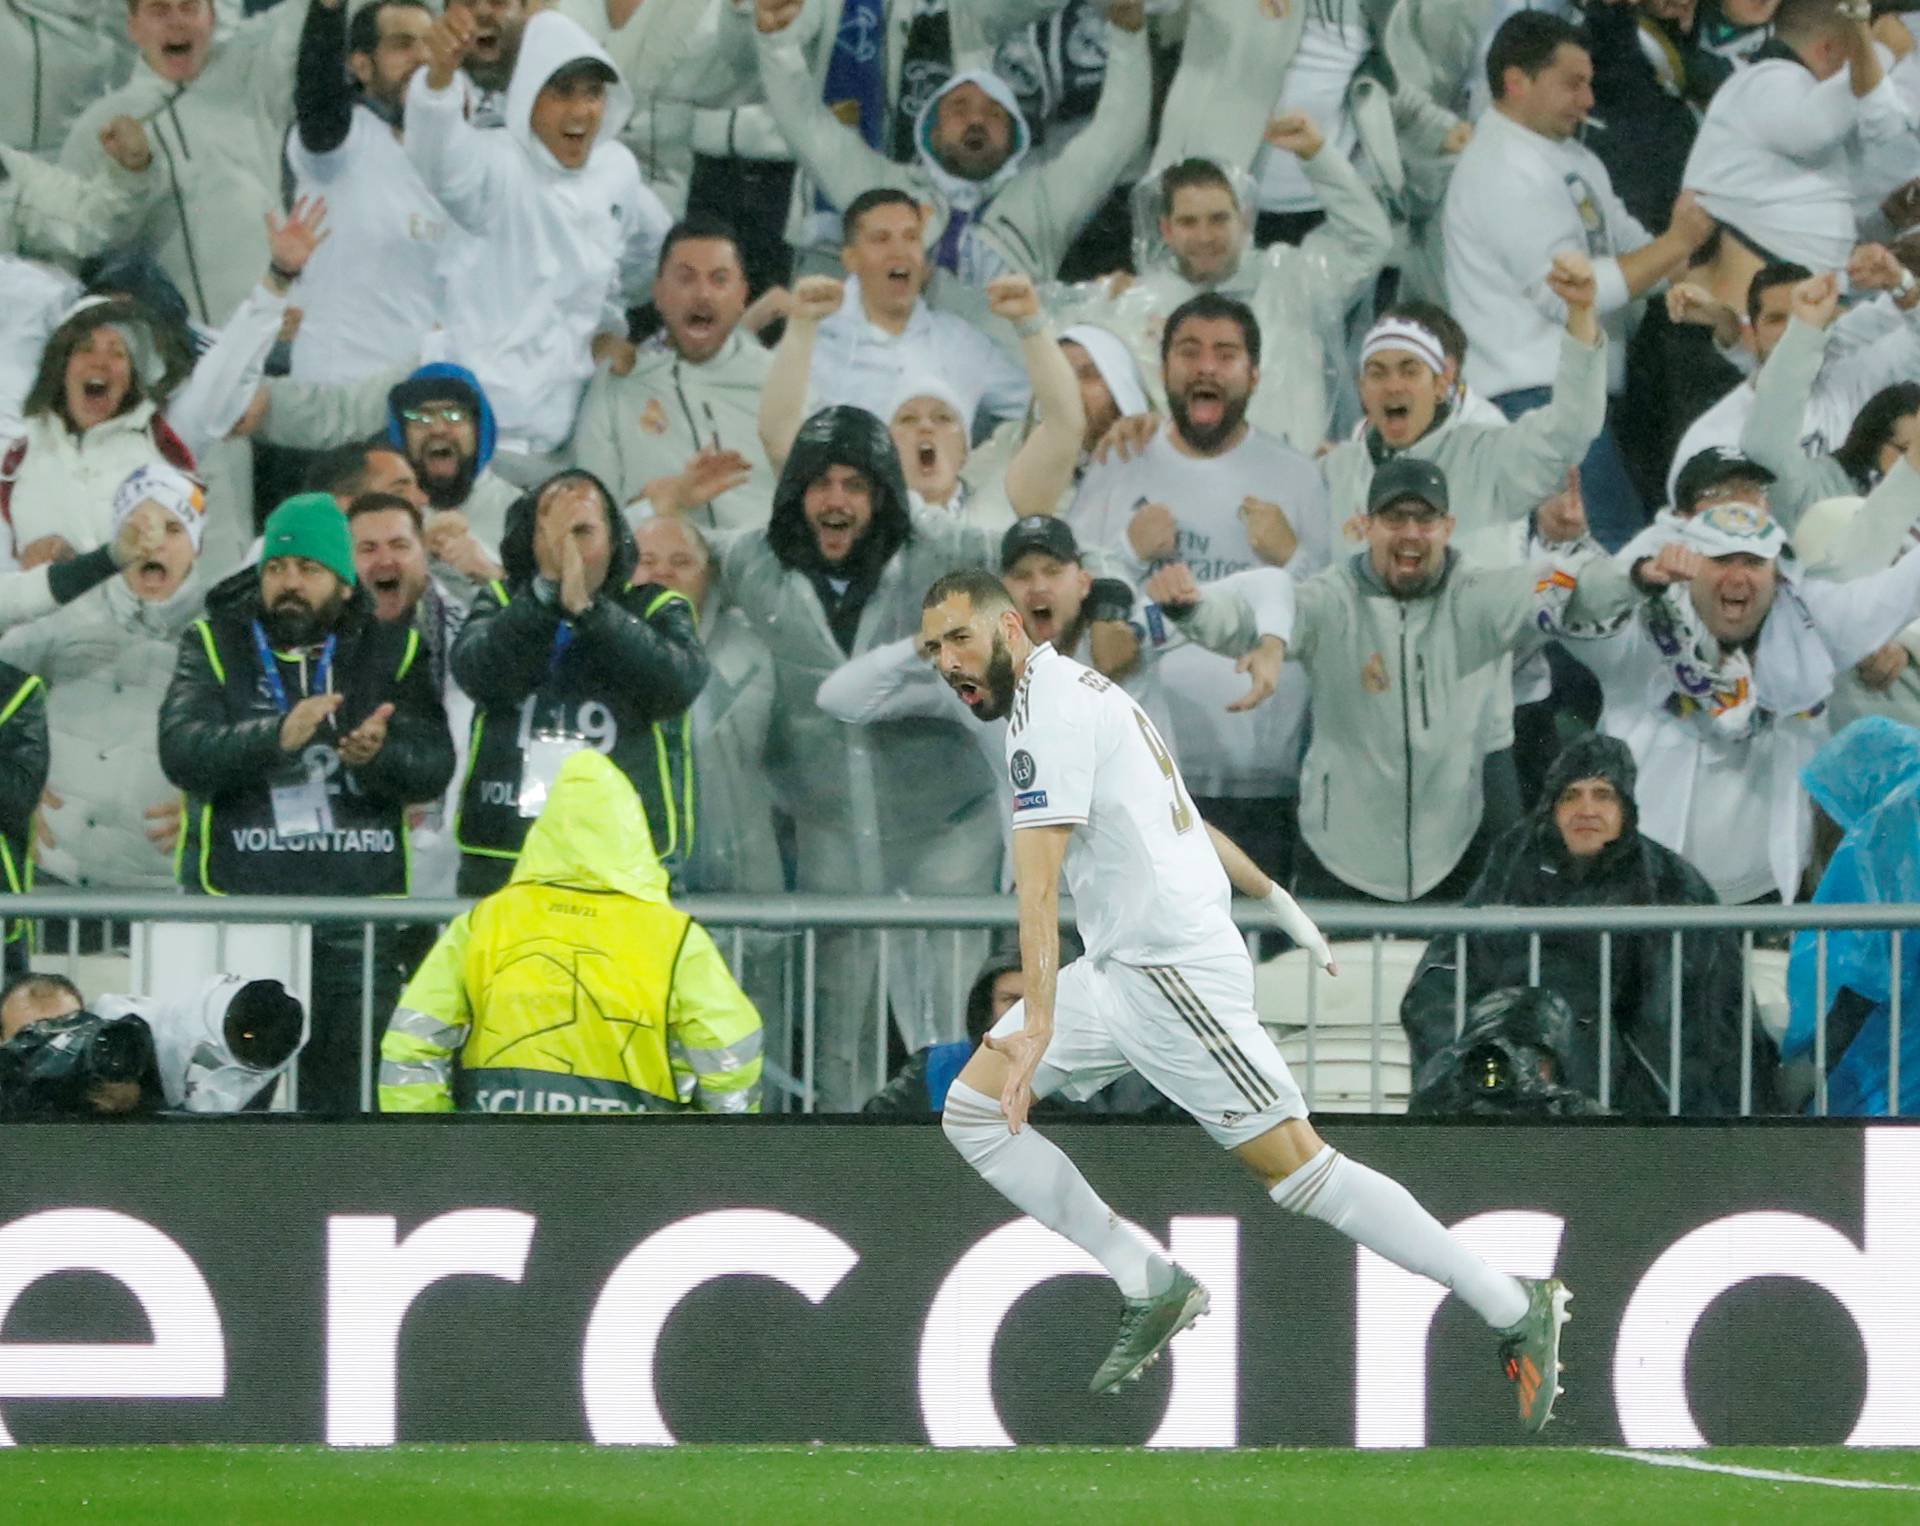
681, 431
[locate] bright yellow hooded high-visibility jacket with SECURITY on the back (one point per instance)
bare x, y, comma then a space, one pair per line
579, 988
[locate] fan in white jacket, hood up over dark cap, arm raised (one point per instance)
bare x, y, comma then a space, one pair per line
565, 231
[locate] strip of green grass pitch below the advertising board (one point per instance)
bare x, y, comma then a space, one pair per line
719, 1487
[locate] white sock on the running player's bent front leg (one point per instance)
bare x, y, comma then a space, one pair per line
1036, 1178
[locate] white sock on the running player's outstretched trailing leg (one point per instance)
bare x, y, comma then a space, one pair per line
1383, 1216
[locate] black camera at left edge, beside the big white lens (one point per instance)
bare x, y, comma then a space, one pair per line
80, 1066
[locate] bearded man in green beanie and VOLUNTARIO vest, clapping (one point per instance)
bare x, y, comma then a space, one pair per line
302, 728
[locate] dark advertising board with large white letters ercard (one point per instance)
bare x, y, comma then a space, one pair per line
794, 1281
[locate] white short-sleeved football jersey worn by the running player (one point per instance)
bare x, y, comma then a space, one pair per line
1147, 884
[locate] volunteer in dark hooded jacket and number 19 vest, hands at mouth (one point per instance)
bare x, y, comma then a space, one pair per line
562, 657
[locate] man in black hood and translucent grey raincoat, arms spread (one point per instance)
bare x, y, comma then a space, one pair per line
876, 809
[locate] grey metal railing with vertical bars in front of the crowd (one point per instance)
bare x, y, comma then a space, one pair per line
903, 934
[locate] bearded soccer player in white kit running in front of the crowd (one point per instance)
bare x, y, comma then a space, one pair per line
1166, 990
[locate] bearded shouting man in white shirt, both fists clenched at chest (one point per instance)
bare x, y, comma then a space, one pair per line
1218, 494
